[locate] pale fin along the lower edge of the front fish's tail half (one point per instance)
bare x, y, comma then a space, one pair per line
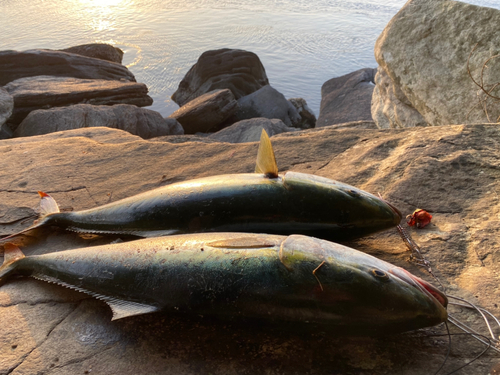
120, 308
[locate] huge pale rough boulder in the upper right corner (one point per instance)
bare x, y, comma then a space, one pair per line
424, 51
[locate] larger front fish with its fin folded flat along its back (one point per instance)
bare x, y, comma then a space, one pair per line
232, 276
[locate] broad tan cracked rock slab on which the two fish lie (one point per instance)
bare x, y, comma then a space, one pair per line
453, 172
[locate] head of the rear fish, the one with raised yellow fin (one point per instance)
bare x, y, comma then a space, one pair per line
356, 211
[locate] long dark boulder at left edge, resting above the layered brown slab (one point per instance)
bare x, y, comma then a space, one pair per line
37, 62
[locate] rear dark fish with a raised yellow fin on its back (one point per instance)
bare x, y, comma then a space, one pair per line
265, 201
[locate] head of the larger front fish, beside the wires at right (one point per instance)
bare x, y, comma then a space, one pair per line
364, 291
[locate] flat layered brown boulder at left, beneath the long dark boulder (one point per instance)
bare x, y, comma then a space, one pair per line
44, 92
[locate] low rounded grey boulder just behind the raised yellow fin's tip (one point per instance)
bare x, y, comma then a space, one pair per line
250, 130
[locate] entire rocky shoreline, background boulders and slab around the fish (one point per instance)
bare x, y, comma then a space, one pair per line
72, 124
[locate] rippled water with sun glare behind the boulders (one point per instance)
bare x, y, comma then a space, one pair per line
302, 43
